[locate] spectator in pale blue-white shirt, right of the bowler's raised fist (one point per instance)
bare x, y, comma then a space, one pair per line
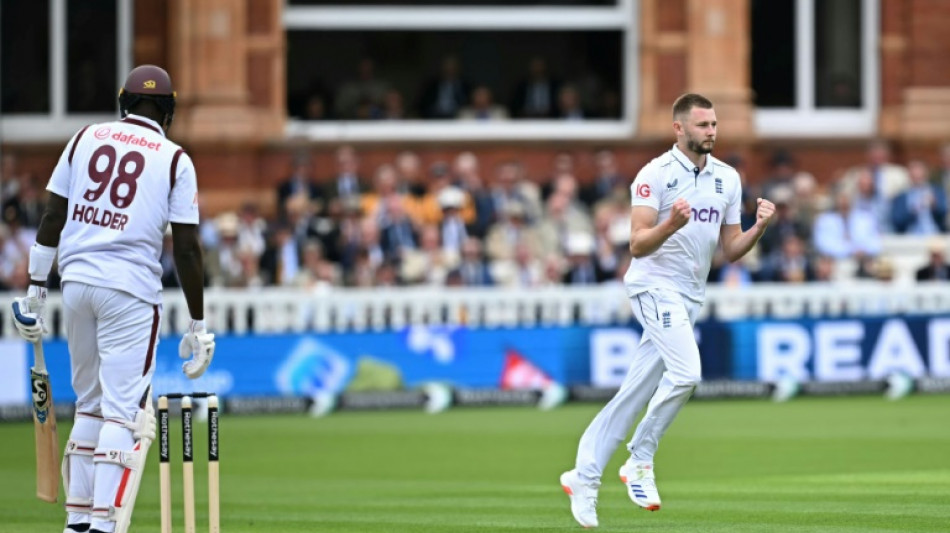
844, 232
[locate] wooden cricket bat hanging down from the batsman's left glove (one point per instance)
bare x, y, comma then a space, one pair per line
44, 426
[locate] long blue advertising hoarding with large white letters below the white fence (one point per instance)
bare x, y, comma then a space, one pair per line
307, 364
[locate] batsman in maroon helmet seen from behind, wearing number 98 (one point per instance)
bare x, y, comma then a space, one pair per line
116, 187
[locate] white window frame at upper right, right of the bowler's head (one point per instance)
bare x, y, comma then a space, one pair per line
806, 120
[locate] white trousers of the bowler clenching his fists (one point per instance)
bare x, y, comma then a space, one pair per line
665, 370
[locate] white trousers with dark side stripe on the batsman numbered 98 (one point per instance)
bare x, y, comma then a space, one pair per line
112, 338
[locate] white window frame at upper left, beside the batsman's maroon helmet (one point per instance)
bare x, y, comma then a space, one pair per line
58, 124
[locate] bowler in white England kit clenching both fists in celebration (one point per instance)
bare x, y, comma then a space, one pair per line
685, 204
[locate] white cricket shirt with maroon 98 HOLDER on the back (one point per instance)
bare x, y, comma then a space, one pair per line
125, 182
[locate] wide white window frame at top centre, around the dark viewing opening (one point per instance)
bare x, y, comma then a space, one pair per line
623, 17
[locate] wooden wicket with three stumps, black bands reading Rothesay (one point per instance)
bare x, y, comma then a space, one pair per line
188, 474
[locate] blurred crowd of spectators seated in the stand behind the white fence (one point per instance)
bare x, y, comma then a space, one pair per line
456, 223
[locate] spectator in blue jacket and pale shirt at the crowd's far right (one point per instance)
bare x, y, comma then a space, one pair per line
922, 208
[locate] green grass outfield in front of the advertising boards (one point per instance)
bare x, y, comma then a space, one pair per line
856, 464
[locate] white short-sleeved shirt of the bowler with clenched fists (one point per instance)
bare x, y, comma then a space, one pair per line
683, 261
